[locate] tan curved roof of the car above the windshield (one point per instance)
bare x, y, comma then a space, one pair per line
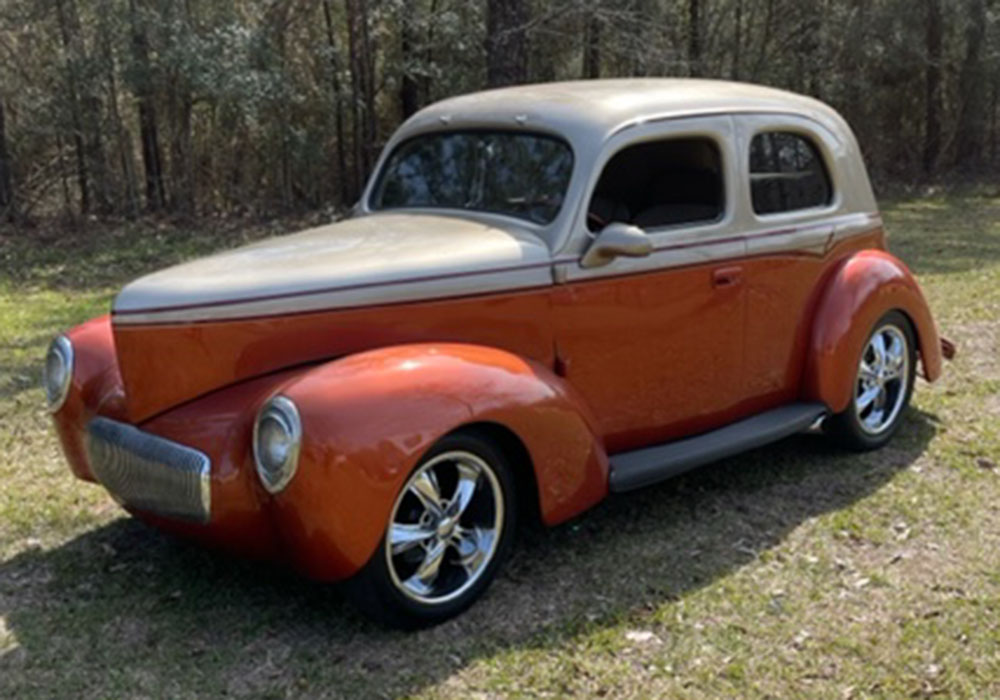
599, 108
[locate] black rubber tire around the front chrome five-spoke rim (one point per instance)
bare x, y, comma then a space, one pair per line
378, 591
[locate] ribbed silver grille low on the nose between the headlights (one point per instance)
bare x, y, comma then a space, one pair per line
149, 473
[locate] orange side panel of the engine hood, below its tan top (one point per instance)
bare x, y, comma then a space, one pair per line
225, 352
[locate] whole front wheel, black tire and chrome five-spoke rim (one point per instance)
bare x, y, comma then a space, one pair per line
449, 530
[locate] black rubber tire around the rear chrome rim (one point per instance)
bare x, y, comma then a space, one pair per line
847, 429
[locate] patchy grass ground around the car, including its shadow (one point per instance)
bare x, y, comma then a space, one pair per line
793, 571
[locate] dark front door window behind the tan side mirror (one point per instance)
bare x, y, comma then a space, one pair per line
660, 183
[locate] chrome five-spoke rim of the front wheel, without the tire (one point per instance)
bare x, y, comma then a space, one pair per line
445, 527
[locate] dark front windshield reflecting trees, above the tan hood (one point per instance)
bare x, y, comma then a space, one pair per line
503, 172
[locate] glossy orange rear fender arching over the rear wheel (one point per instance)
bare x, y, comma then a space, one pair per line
866, 286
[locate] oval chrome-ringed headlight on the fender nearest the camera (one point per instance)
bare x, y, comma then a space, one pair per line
277, 436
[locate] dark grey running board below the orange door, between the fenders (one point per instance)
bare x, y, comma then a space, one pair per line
633, 470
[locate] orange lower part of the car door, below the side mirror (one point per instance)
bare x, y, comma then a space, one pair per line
654, 355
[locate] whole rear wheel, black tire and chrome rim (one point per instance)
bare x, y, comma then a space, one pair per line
882, 386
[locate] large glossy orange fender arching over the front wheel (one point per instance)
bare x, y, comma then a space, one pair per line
368, 419
